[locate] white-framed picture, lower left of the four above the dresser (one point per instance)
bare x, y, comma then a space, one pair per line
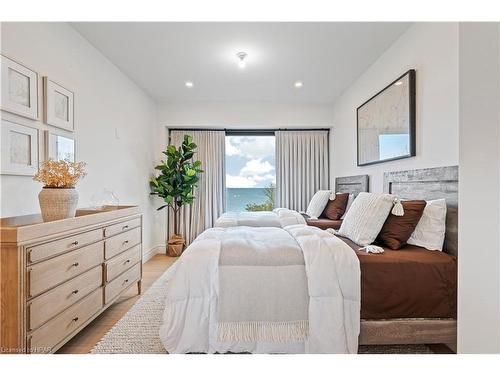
19, 150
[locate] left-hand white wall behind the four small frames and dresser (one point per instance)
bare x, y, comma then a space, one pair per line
105, 101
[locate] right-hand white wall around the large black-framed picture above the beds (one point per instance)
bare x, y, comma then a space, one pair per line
431, 49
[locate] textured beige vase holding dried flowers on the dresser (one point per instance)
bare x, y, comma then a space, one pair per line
58, 203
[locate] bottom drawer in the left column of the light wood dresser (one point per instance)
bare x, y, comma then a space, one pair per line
55, 330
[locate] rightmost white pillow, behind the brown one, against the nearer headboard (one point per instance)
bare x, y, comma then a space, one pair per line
431, 227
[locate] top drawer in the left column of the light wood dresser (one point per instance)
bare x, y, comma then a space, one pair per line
50, 249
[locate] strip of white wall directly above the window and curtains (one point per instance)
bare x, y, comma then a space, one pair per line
245, 115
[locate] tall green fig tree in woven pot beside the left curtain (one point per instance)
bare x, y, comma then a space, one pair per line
175, 184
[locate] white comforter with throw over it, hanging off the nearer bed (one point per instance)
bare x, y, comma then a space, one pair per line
263, 290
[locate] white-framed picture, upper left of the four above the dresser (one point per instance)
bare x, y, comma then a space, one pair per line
19, 89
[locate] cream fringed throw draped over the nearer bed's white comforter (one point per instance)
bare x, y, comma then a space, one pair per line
262, 287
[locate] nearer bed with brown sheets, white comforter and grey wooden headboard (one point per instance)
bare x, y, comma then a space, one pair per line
399, 297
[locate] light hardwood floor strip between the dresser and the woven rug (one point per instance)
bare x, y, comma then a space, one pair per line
85, 340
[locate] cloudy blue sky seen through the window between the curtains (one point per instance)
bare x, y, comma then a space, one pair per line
250, 161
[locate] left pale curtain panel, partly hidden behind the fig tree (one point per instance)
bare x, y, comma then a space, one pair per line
210, 193
